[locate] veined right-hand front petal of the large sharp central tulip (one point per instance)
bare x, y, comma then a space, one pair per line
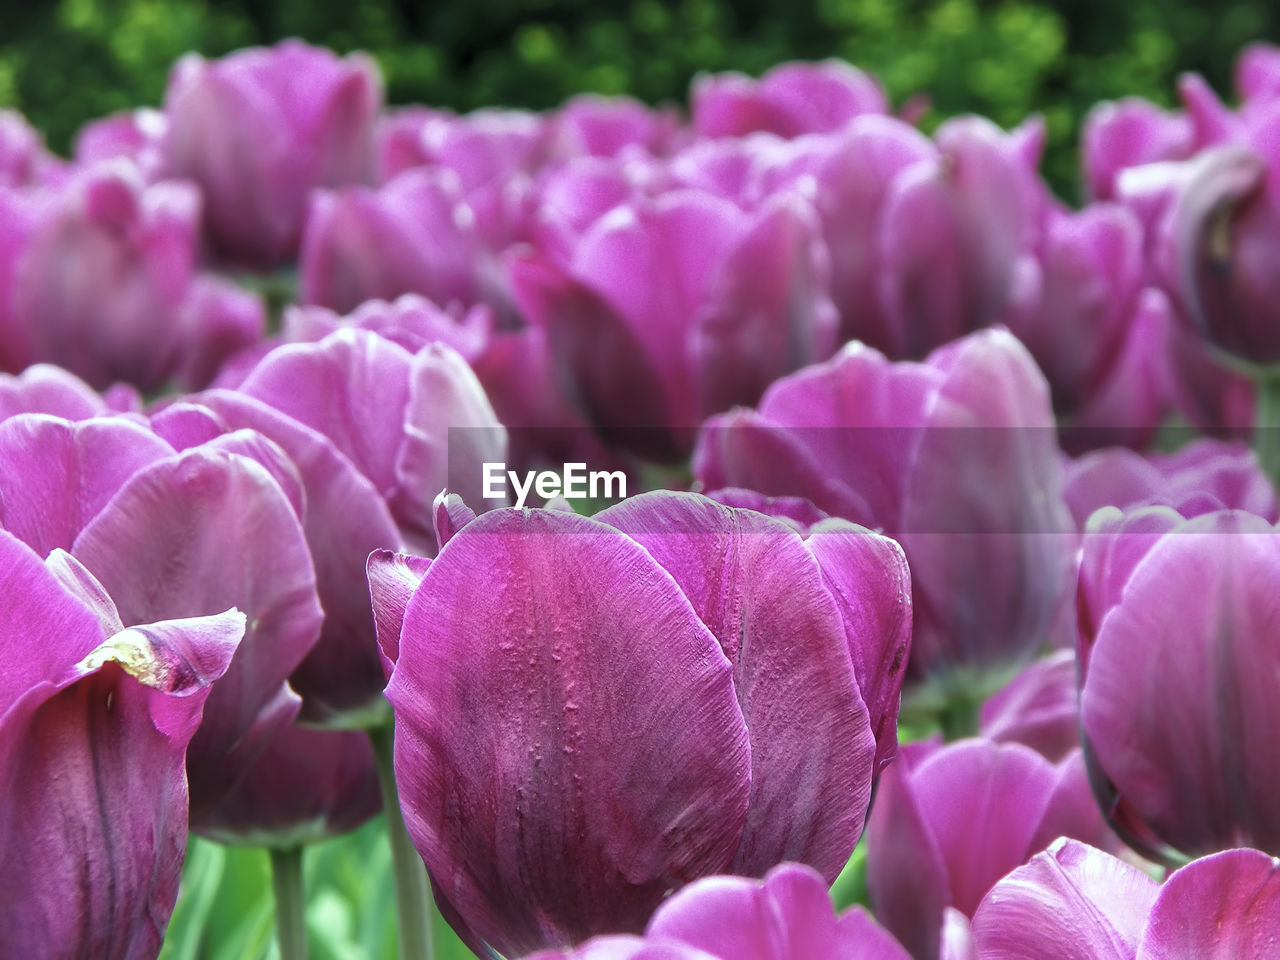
761, 592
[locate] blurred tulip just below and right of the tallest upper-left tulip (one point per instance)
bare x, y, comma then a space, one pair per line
415, 235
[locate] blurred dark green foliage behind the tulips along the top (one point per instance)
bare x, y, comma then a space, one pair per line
71, 61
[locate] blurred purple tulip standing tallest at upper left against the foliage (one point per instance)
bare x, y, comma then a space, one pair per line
259, 130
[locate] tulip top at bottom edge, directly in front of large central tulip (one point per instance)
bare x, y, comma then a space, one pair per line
785, 917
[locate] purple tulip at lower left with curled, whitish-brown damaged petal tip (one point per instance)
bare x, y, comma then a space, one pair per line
93, 740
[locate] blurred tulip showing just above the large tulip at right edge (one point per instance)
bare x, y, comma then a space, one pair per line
1204, 477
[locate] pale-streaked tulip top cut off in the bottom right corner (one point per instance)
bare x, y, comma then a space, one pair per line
1076, 903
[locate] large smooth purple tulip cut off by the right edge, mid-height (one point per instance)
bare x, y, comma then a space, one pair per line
1181, 612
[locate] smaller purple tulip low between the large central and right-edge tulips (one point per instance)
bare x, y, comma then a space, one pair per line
950, 822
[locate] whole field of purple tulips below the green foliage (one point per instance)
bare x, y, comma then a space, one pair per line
755, 532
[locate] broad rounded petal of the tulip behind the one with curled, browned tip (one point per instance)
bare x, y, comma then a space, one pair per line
199, 533
